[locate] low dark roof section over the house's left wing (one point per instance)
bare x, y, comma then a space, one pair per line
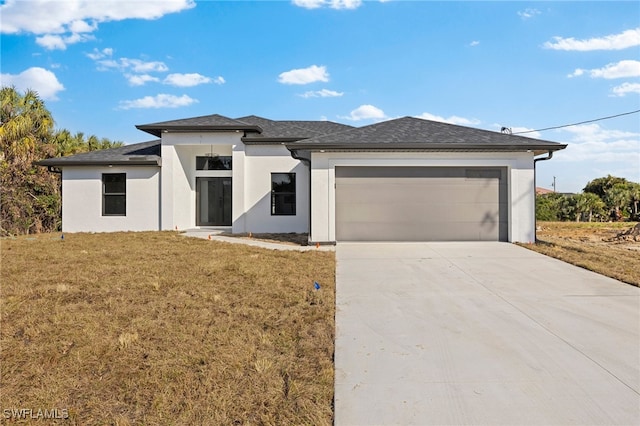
138, 154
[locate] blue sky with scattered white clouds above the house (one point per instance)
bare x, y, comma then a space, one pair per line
105, 66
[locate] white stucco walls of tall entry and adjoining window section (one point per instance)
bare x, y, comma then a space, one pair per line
251, 182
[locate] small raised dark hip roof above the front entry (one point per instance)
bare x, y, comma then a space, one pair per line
204, 123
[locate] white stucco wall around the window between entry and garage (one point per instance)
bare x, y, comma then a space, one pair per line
259, 162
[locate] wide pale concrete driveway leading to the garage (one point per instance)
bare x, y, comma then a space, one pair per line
481, 333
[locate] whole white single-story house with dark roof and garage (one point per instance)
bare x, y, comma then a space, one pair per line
402, 179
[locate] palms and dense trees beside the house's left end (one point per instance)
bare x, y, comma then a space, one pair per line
29, 194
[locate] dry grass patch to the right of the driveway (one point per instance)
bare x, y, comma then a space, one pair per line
591, 246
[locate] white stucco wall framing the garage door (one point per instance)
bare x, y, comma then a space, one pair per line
520, 175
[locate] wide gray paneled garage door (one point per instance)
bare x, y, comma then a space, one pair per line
421, 204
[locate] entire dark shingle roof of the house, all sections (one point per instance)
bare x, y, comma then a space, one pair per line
408, 133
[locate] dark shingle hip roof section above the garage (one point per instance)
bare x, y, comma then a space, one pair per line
410, 133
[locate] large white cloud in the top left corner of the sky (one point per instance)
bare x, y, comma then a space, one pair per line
62, 23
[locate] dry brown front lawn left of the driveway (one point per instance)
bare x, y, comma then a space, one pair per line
157, 328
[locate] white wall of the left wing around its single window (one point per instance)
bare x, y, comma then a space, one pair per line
82, 199
